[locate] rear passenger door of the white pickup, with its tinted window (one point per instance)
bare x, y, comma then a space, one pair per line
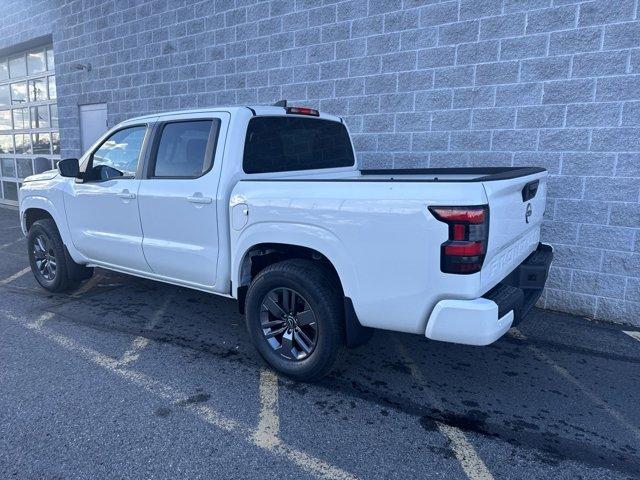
177, 198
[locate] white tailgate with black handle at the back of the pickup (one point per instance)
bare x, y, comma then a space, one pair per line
516, 209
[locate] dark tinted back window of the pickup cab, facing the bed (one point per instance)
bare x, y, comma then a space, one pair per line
278, 144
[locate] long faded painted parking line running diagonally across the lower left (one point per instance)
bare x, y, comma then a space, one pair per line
306, 462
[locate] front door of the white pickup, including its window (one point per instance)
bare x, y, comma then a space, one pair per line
102, 210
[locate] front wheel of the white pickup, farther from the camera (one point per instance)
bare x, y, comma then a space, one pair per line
49, 260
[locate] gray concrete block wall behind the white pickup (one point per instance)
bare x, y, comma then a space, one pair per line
554, 83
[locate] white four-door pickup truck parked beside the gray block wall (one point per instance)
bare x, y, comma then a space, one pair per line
267, 205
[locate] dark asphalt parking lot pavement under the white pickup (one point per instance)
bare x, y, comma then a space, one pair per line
129, 378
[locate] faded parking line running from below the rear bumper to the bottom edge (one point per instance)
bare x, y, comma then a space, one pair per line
469, 460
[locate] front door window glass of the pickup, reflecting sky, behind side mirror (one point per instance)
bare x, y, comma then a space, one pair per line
121, 150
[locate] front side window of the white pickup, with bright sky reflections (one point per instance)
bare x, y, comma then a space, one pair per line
118, 155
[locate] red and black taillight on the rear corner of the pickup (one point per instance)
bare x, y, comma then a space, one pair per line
464, 252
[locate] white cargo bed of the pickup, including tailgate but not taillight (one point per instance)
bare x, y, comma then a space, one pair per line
374, 226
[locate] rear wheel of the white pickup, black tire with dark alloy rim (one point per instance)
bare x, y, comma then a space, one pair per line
314, 289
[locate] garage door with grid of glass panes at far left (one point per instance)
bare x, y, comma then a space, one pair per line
29, 138
